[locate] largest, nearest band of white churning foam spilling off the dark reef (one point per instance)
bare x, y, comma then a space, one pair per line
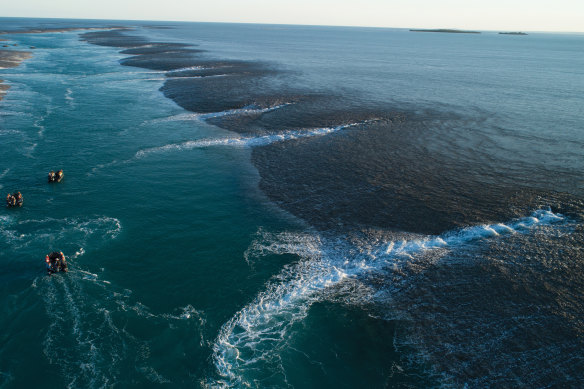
252, 338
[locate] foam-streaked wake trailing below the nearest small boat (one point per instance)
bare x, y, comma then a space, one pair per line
86, 339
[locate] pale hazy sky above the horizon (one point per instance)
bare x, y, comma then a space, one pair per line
526, 15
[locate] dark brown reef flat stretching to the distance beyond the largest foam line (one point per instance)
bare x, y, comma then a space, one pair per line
394, 167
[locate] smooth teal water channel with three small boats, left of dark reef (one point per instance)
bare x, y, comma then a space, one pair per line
146, 239
